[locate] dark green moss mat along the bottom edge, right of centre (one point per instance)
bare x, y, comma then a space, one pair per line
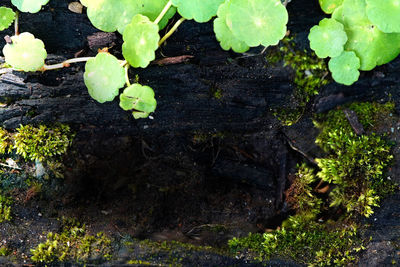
305, 241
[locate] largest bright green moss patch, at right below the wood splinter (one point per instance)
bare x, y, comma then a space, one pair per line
355, 163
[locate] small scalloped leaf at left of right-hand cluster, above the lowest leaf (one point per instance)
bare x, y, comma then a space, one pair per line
328, 38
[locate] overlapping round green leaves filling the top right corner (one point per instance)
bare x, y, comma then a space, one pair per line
360, 35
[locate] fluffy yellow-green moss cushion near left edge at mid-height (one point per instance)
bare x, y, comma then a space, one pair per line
42, 142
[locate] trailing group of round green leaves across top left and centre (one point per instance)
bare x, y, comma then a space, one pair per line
240, 24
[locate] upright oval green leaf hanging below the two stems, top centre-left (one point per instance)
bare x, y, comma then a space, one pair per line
140, 41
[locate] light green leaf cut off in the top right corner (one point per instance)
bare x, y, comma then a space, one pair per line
385, 14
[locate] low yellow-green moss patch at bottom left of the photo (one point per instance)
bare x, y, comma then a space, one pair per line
73, 244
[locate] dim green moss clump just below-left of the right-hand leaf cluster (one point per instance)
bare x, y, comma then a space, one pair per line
309, 75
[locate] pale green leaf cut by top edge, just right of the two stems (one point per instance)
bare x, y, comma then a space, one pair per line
199, 10
